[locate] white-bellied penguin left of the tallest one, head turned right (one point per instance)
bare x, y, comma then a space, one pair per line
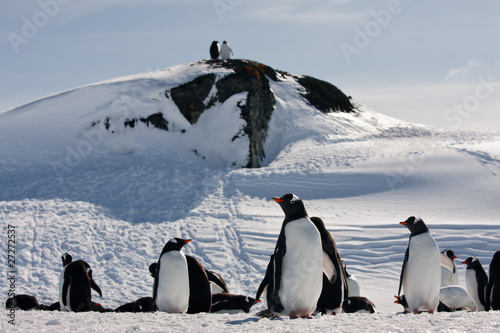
171, 285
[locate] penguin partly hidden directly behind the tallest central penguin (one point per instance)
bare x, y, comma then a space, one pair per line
334, 278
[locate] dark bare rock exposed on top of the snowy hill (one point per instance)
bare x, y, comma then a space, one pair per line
253, 78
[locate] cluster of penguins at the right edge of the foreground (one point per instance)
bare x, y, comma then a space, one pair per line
430, 281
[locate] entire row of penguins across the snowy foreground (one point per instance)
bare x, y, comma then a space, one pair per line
305, 276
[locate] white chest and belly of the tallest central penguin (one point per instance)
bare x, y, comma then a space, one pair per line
302, 268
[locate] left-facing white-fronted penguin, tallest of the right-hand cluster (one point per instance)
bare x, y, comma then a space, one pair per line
421, 271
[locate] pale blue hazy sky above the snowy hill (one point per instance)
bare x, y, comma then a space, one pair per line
430, 62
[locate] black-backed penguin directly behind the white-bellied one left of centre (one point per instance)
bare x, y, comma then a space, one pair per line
200, 294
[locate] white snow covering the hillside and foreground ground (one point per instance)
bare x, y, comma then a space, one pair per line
114, 200
